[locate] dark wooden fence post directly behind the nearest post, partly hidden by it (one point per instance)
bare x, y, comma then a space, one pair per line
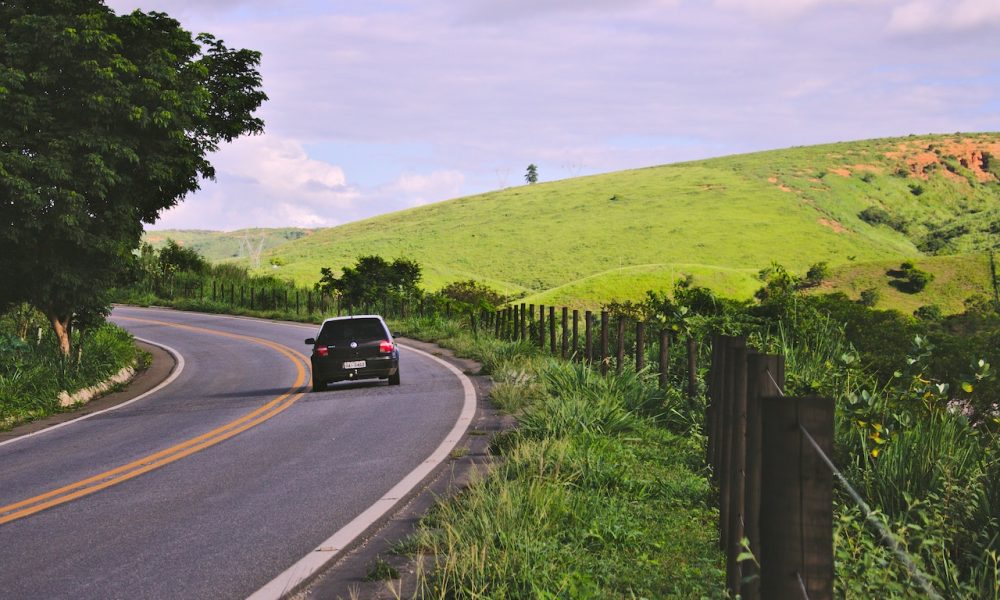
765, 378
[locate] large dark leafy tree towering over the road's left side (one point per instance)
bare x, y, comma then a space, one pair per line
105, 121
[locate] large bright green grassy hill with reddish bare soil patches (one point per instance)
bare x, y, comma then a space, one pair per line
586, 240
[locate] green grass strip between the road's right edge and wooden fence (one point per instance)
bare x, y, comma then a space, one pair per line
597, 496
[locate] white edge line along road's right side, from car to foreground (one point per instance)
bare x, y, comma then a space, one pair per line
329, 549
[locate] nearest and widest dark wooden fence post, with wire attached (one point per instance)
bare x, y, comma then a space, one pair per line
796, 518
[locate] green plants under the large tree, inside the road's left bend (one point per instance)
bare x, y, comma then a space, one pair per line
33, 370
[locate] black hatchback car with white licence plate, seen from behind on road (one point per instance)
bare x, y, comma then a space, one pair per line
357, 347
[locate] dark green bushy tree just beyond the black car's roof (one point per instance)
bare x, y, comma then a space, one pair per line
371, 280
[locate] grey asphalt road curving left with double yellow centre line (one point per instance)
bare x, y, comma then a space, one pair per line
222, 480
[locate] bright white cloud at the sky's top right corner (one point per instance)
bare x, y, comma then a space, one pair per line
925, 16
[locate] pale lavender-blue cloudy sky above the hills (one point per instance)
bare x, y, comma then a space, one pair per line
381, 105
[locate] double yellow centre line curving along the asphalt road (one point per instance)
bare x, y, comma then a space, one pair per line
84, 487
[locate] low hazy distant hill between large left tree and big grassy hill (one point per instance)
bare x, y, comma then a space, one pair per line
218, 246
